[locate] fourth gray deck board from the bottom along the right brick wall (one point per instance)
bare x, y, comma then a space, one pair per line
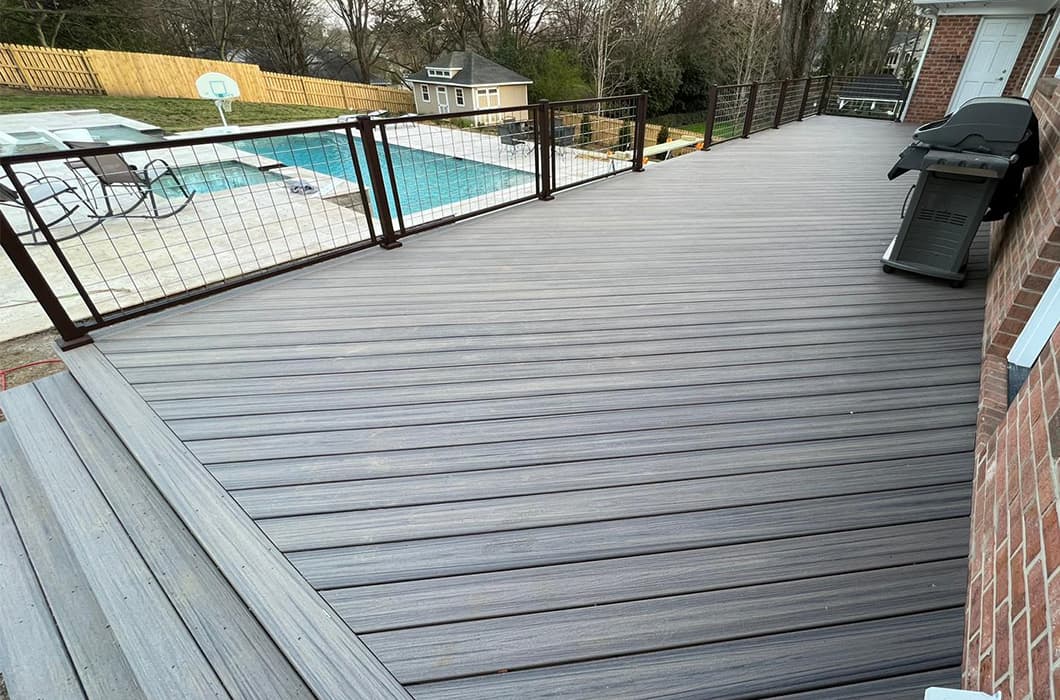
520, 591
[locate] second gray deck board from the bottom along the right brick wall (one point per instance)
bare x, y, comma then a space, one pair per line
736, 670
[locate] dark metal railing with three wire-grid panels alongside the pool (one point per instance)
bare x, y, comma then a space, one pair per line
103, 234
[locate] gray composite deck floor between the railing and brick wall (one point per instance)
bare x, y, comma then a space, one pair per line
670, 434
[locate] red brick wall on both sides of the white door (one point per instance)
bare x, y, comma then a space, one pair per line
946, 58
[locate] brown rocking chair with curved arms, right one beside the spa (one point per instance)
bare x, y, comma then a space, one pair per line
113, 172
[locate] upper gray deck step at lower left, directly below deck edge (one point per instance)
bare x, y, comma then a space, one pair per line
140, 608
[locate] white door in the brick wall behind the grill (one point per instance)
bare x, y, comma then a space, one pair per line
991, 61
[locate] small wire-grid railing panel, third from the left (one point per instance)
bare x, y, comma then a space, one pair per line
591, 139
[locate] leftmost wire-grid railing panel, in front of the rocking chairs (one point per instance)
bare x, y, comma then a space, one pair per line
137, 226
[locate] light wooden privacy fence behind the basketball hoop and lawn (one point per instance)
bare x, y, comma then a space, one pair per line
128, 75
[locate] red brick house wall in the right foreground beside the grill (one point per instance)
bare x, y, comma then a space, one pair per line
1013, 629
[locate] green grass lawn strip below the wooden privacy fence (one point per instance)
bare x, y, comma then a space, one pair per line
168, 114
